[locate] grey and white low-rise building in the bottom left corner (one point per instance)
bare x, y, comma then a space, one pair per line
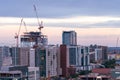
24, 72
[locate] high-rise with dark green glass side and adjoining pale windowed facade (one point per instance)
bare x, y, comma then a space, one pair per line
46, 60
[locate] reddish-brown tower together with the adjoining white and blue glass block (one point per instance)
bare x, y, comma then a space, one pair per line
74, 57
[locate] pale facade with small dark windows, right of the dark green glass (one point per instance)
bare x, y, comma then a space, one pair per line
51, 60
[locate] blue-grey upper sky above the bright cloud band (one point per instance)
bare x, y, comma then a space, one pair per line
59, 8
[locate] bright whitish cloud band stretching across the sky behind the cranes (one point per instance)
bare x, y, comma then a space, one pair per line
73, 22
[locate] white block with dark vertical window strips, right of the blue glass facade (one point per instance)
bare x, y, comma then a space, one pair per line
83, 58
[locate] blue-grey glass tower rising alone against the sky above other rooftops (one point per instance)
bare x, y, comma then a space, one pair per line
69, 38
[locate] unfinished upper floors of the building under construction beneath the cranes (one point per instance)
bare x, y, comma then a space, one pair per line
33, 39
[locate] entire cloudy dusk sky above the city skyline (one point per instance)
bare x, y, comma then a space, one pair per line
95, 21
